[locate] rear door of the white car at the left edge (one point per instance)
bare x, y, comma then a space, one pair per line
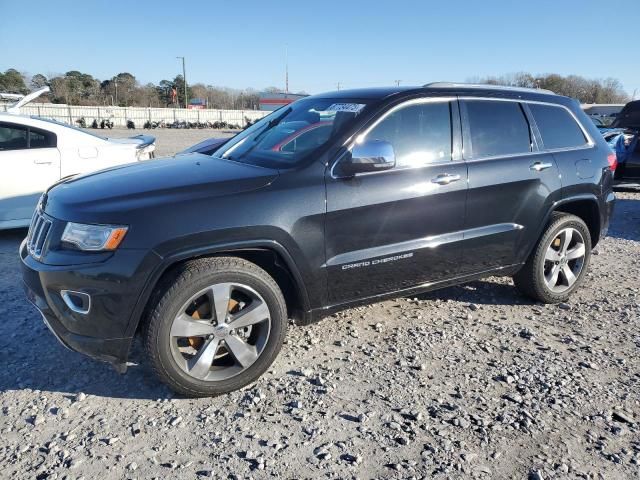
30, 162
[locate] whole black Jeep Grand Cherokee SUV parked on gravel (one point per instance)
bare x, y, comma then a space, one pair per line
337, 200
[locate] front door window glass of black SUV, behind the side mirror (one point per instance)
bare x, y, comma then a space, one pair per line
420, 134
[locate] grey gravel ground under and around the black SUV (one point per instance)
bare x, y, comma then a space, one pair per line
467, 382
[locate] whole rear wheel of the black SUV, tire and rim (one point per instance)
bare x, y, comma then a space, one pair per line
559, 262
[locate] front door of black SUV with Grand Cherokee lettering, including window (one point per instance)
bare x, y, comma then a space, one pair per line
395, 229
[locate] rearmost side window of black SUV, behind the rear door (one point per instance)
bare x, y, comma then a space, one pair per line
557, 127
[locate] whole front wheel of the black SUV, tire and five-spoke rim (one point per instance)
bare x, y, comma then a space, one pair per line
217, 327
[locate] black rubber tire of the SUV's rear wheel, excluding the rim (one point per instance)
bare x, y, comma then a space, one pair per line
530, 278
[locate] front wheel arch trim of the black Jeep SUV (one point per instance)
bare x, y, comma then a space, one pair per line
267, 254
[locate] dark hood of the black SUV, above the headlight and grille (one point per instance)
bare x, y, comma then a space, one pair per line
109, 195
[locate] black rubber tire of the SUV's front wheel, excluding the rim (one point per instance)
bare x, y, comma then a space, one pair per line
189, 279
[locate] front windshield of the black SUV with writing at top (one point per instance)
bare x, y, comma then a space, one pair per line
286, 136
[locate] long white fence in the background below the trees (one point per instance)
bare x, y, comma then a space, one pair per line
139, 115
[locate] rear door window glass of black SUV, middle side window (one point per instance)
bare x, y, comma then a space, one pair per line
498, 128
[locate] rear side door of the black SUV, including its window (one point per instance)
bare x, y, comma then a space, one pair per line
512, 184
